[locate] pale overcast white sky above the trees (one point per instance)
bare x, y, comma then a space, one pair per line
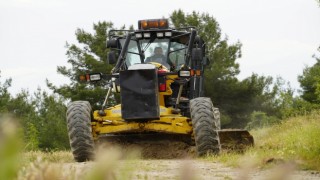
279, 37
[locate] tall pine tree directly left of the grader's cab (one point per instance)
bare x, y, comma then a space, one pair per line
87, 57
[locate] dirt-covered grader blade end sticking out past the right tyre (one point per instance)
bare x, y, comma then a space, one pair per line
235, 139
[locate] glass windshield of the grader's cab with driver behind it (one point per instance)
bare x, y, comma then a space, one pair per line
156, 51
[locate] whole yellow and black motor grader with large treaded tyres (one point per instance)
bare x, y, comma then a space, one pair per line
161, 97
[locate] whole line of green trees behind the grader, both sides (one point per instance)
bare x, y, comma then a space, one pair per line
252, 102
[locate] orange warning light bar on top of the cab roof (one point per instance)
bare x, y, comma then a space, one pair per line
153, 24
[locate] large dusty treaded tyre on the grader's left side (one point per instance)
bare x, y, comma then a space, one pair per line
80, 131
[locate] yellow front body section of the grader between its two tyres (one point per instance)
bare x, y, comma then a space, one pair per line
113, 123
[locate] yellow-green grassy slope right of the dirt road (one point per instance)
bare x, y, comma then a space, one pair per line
295, 140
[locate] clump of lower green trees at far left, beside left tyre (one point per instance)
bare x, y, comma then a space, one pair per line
41, 117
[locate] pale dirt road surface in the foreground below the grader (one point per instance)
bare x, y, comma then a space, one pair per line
185, 169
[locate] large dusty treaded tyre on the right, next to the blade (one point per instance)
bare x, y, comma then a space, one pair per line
205, 122
